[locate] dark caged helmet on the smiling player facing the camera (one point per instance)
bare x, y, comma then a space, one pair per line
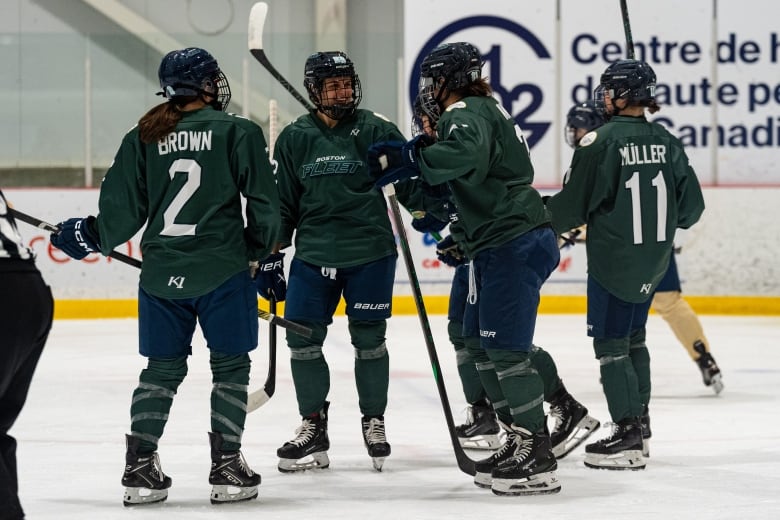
332, 64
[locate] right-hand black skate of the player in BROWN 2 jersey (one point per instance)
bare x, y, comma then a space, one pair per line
231, 478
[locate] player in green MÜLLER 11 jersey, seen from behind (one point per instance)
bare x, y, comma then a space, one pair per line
631, 183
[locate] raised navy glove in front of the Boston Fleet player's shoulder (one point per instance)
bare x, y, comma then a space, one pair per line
393, 161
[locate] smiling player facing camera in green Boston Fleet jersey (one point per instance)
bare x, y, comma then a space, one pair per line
344, 246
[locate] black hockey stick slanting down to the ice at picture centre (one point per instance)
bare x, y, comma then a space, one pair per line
464, 462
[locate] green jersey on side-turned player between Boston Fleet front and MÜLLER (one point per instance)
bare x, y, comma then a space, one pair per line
482, 155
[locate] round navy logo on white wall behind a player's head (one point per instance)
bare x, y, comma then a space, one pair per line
503, 65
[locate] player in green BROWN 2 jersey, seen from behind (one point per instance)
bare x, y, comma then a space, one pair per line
182, 172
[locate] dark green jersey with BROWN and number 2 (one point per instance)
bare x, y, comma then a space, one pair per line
187, 190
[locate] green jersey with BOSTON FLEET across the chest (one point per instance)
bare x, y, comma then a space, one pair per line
328, 199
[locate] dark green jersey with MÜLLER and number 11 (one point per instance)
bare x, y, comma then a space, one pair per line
631, 182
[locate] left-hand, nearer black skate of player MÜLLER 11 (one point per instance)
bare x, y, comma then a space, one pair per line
621, 450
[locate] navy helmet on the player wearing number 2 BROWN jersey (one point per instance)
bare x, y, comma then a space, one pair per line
193, 72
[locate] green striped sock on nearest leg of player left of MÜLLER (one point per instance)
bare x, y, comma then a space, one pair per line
522, 387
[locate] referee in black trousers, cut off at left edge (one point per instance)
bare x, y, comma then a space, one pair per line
26, 311
